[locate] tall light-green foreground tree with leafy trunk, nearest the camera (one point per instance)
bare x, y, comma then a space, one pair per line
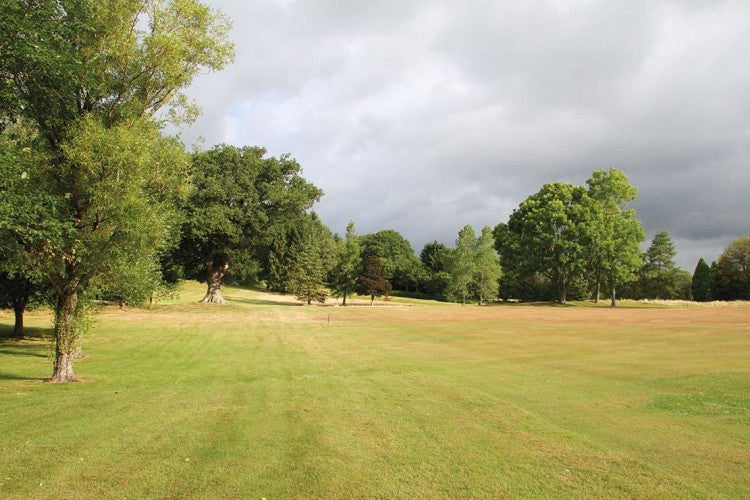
91, 78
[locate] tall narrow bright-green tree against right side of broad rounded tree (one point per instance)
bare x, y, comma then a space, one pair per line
615, 248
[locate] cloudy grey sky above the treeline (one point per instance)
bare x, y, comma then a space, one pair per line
425, 116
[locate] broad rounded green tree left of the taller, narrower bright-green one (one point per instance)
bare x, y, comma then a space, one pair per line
550, 233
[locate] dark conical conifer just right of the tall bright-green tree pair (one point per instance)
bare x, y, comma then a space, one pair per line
659, 273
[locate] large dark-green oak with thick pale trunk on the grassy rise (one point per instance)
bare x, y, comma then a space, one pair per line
239, 197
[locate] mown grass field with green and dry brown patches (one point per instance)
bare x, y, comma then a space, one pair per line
266, 399
